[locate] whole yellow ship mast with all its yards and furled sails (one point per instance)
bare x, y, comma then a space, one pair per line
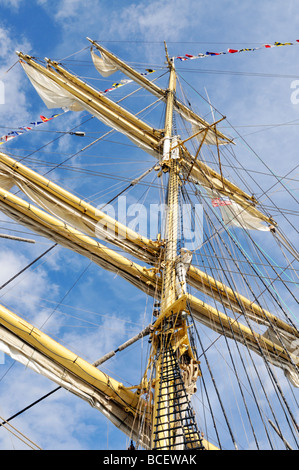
167, 420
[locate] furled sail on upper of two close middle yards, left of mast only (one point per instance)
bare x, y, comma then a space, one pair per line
73, 210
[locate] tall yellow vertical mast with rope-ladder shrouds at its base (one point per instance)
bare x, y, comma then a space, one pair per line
173, 426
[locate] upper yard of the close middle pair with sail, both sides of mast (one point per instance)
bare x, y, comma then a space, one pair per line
49, 196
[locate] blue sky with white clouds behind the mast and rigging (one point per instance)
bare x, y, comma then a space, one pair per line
252, 89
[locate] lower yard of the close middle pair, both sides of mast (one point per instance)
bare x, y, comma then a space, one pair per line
144, 279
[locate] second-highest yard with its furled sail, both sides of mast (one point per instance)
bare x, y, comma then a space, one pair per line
141, 134
